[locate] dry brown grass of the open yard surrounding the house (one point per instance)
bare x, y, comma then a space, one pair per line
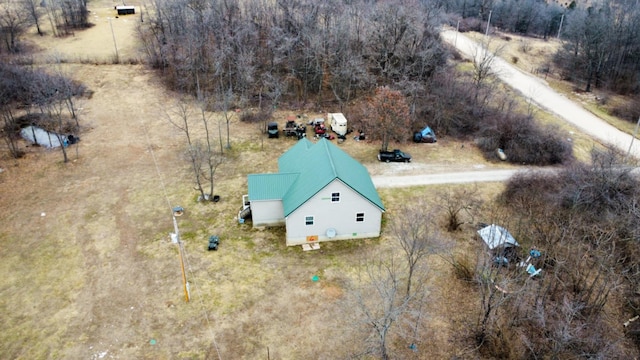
90, 272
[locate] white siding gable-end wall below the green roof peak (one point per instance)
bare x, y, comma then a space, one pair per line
340, 216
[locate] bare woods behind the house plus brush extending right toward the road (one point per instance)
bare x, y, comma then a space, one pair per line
339, 54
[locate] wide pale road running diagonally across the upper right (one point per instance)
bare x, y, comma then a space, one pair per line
542, 95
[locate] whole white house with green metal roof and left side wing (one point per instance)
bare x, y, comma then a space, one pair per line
320, 193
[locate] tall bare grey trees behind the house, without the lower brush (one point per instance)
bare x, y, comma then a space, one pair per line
308, 49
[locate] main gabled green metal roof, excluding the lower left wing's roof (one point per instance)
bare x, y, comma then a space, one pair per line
318, 165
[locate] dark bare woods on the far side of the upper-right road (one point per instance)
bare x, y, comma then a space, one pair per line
601, 39
